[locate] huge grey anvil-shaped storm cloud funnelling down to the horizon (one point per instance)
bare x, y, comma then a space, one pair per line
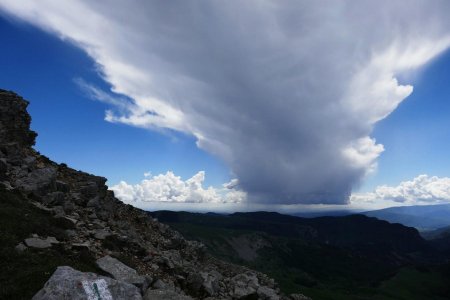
286, 93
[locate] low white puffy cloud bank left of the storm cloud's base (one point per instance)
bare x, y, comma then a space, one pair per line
171, 188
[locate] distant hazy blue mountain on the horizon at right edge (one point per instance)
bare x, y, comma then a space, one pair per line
422, 217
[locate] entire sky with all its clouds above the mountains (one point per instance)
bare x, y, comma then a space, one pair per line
228, 105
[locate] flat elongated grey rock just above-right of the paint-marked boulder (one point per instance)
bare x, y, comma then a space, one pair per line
120, 271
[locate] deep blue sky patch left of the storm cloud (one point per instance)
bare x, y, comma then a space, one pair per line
42, 68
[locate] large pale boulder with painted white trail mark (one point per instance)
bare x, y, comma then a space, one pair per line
68, 283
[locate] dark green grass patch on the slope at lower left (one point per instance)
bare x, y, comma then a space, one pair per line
24, 273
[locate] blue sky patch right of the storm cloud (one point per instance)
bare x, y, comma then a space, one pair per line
416, 135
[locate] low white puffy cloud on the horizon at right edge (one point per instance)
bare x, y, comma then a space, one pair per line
423, 189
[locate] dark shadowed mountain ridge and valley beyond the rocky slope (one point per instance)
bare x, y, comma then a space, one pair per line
349, 257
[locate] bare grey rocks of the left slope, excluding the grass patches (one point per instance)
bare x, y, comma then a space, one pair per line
95, 222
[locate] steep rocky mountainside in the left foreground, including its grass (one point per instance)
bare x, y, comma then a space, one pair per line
64, 227
